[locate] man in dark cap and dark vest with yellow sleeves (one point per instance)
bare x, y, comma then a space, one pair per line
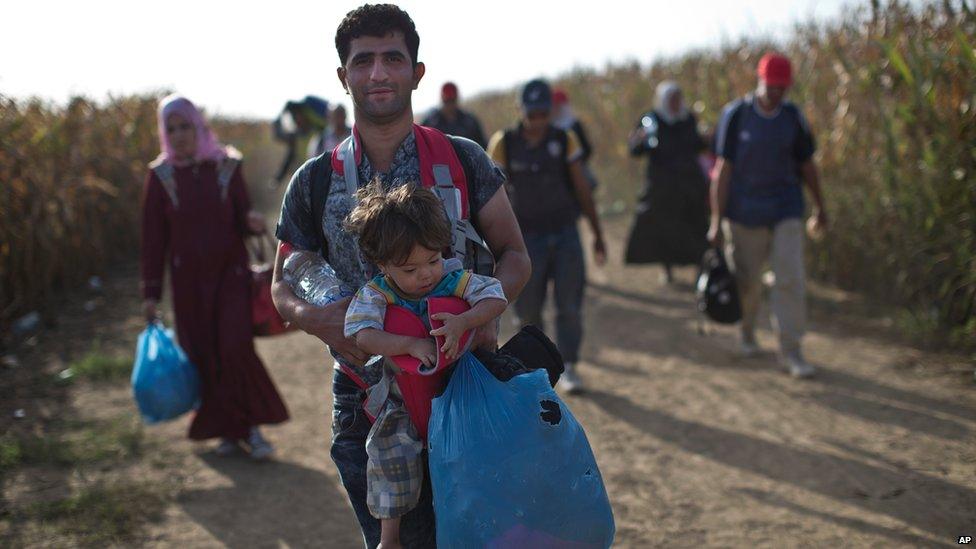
548, 189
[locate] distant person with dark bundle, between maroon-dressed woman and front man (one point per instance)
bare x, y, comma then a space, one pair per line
298, 120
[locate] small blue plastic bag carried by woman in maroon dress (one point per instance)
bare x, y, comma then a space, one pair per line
164, 383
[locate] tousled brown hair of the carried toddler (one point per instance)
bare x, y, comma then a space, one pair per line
390, 223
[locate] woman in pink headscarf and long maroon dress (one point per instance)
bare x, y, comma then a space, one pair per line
196, 212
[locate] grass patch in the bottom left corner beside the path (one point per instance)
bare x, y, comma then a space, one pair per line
94, 516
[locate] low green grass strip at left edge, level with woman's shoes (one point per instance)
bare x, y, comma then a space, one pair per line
79, 443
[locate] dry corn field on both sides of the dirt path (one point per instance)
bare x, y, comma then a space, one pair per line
890, 90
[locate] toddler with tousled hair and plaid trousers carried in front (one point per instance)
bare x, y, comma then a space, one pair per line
404, 232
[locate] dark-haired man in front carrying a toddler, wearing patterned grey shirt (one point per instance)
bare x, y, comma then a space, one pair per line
377, 46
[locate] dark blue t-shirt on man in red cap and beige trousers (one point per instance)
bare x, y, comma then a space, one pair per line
766, 152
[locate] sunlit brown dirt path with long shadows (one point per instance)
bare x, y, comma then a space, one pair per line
696, 447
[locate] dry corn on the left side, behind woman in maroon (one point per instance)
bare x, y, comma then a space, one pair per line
71, 182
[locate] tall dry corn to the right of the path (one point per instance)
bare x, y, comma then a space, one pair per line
890, 91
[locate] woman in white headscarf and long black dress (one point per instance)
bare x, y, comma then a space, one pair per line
671, 218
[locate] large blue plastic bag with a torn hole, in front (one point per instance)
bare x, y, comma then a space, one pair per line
511, 467
